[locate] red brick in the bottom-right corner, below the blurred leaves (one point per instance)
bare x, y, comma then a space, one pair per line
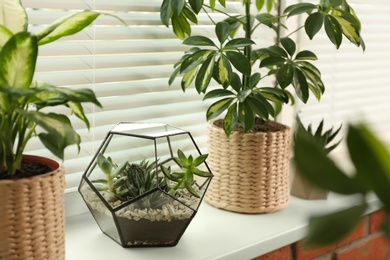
374, 247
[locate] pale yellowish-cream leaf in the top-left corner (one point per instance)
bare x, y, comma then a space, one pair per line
13, 16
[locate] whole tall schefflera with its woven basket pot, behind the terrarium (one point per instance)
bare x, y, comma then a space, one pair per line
248, 151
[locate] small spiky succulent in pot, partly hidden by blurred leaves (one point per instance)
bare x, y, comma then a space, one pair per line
300, 187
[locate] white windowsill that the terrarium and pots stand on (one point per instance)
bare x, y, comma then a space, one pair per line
212, 234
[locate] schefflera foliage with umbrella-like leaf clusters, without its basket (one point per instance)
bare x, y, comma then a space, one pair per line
232, 61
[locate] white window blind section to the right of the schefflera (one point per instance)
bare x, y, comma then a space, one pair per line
357, 82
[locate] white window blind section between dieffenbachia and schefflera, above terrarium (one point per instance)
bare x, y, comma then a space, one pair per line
128, 67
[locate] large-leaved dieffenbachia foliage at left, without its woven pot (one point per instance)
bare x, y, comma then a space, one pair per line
23, 99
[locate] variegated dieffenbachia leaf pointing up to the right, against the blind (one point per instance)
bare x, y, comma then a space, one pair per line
66, 26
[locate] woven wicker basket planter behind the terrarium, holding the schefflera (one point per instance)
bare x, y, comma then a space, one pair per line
251, 170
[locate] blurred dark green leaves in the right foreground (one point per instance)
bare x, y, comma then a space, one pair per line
370, 174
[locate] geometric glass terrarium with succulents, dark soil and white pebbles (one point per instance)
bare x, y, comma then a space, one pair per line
145, 184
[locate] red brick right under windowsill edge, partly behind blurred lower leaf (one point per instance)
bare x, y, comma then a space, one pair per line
301, 252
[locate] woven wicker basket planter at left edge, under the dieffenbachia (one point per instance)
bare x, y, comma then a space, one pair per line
32, 215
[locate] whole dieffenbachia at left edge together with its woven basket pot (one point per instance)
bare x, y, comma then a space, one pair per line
32, 187
